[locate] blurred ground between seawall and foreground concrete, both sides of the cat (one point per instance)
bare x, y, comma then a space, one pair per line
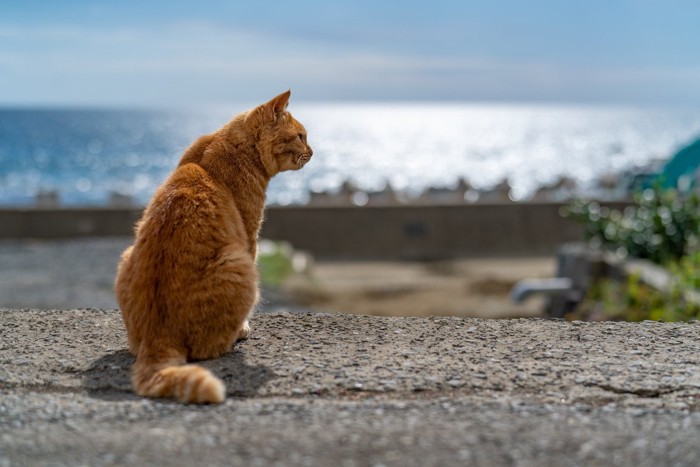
79, 273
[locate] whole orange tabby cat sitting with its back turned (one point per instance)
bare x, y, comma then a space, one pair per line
188, 284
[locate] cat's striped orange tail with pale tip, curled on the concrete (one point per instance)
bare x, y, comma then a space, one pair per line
166, 376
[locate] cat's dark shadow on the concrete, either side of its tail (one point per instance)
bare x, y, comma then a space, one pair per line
109, 377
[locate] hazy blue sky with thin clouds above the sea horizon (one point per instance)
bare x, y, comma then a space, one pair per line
182, 53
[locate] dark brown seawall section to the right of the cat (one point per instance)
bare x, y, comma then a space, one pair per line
424, 232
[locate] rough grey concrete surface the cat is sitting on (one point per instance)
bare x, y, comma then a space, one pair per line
334, 389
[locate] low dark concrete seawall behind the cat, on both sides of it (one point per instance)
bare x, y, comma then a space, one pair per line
396, 232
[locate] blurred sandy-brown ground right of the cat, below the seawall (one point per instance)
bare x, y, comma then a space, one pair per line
474, 287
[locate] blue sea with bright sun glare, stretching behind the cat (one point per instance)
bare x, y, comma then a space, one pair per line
86, 156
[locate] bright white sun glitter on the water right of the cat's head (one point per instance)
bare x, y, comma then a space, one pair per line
414, 146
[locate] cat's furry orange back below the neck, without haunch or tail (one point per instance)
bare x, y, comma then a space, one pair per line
188, 225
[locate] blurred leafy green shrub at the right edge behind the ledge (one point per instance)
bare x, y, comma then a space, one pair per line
662, 227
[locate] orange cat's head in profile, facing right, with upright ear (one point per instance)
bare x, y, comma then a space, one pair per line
282, 139
